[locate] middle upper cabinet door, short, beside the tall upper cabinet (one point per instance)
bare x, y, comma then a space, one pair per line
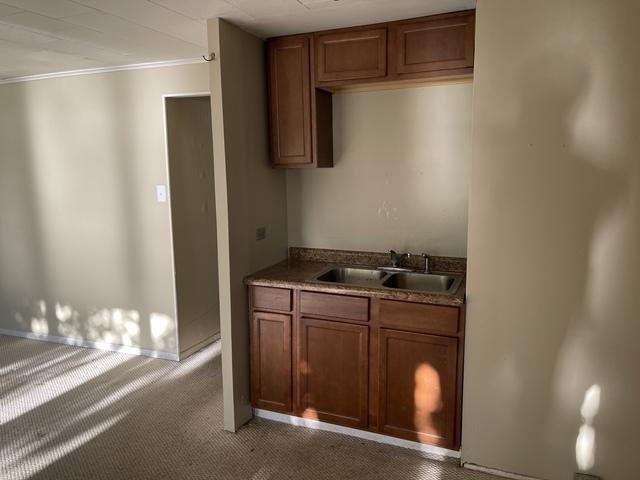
351, 55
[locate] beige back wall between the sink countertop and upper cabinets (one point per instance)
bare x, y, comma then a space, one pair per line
401, 174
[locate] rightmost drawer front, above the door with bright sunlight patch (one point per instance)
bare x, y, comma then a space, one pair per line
419, 317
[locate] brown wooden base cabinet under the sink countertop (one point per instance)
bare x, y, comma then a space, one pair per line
387, 366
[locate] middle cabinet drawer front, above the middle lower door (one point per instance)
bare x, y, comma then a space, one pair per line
339, 306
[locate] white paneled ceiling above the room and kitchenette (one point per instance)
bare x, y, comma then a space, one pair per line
45, 36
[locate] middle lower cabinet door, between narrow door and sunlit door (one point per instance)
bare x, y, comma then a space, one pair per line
333, 372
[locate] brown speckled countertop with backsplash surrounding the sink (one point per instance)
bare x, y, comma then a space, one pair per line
303, 265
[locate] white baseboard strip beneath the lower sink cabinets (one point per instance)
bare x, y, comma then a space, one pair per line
437, 452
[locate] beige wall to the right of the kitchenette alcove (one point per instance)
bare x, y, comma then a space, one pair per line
554, 240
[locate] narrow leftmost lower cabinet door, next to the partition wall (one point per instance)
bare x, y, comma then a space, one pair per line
271, 361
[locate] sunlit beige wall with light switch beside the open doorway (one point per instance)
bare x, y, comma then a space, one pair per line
84, 247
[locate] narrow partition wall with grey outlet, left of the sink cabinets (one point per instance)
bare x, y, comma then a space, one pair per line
249, 194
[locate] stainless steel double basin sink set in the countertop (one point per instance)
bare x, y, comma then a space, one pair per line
446, 284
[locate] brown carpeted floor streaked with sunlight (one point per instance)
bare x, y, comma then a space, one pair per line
73, 413
